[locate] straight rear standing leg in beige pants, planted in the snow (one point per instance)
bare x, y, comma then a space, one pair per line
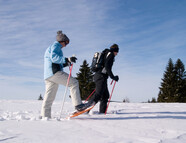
50, 94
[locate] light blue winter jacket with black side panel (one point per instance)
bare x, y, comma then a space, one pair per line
53, 60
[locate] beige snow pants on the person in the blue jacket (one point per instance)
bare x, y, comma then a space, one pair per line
51, 87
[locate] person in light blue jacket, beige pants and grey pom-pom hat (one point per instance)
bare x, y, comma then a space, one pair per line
54, 62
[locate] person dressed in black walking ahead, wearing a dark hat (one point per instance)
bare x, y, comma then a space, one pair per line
100, 78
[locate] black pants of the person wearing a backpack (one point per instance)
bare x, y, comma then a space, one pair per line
102, 93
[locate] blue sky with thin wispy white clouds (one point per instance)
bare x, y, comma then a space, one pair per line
148, 32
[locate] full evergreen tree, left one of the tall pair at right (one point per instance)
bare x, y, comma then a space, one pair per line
168, 85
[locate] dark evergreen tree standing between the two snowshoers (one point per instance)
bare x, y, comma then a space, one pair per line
85, 78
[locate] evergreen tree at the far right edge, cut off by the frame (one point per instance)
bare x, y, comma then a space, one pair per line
181, 84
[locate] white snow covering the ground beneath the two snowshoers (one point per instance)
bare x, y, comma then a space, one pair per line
124, 123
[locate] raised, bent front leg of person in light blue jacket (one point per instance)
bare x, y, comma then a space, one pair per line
61, 78
